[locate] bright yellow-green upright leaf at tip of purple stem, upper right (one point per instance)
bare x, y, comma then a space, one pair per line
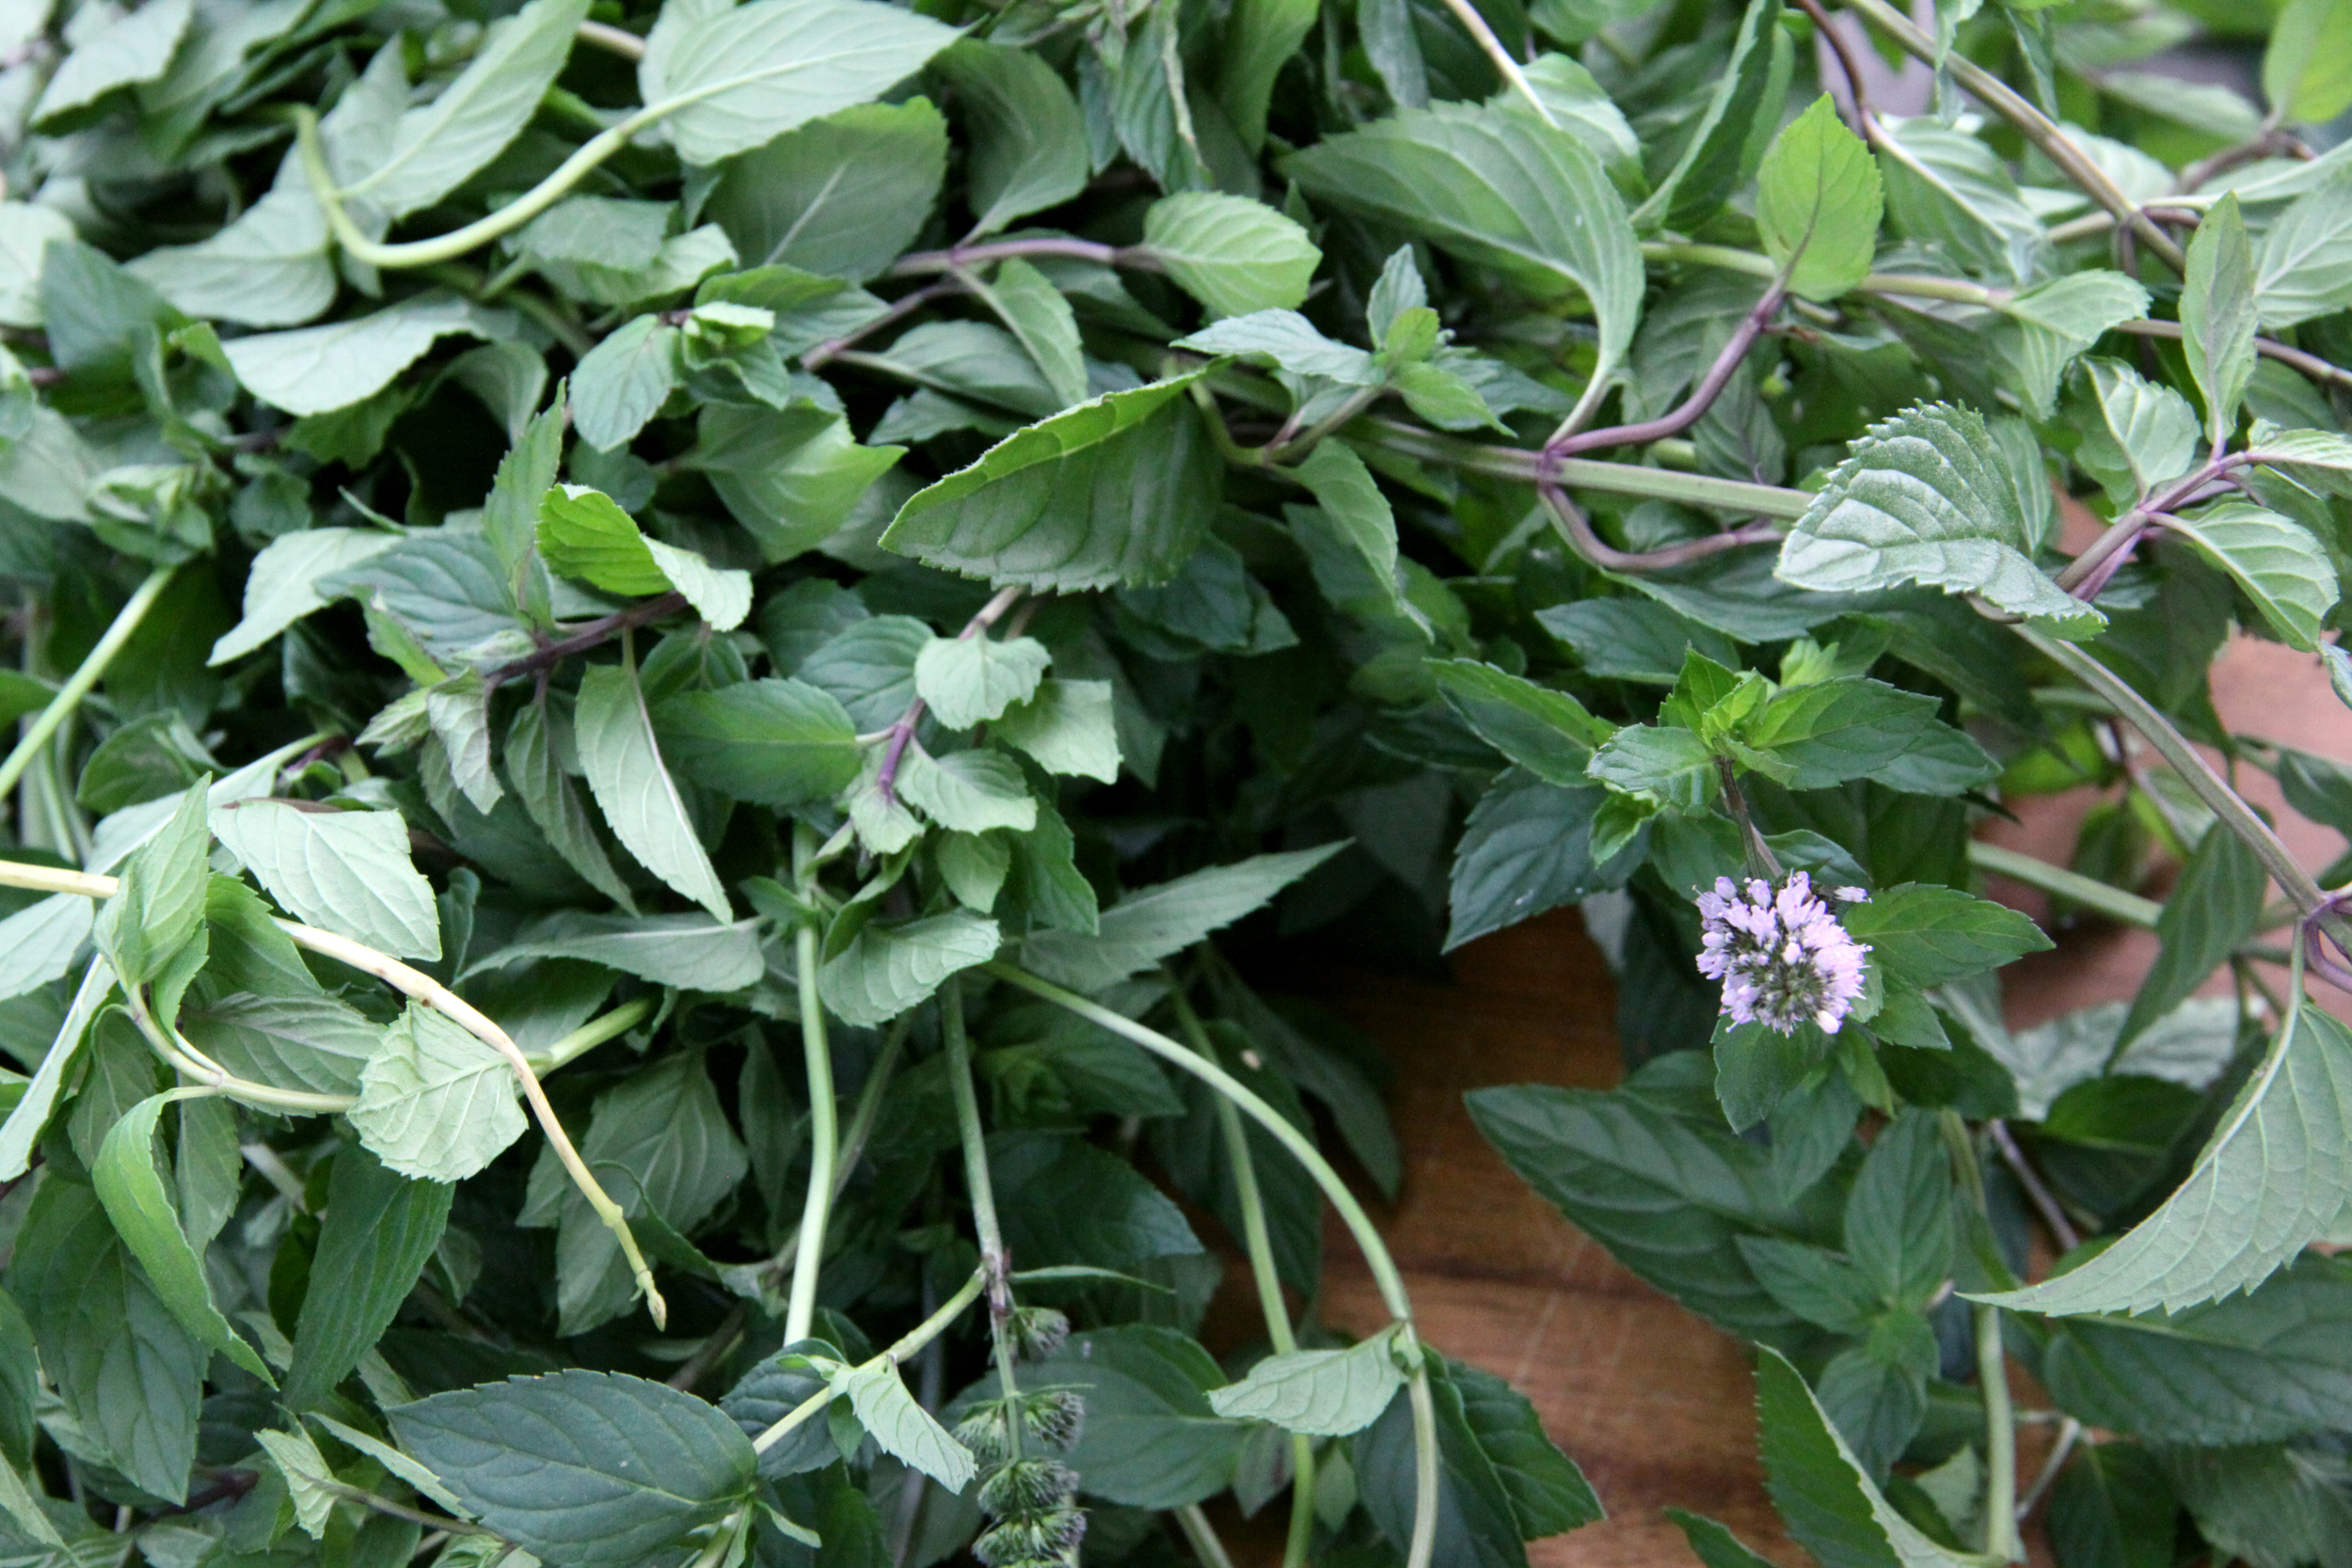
1819, 203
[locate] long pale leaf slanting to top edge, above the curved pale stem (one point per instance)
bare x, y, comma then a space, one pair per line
436, 147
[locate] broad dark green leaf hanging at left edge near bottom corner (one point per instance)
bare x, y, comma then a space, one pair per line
131, 1376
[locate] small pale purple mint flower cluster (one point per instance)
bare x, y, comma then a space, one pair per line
1784, 958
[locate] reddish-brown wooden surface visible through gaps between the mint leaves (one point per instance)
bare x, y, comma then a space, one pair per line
1652, 1402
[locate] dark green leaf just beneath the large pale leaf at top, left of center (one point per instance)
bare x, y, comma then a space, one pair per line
838, 196
